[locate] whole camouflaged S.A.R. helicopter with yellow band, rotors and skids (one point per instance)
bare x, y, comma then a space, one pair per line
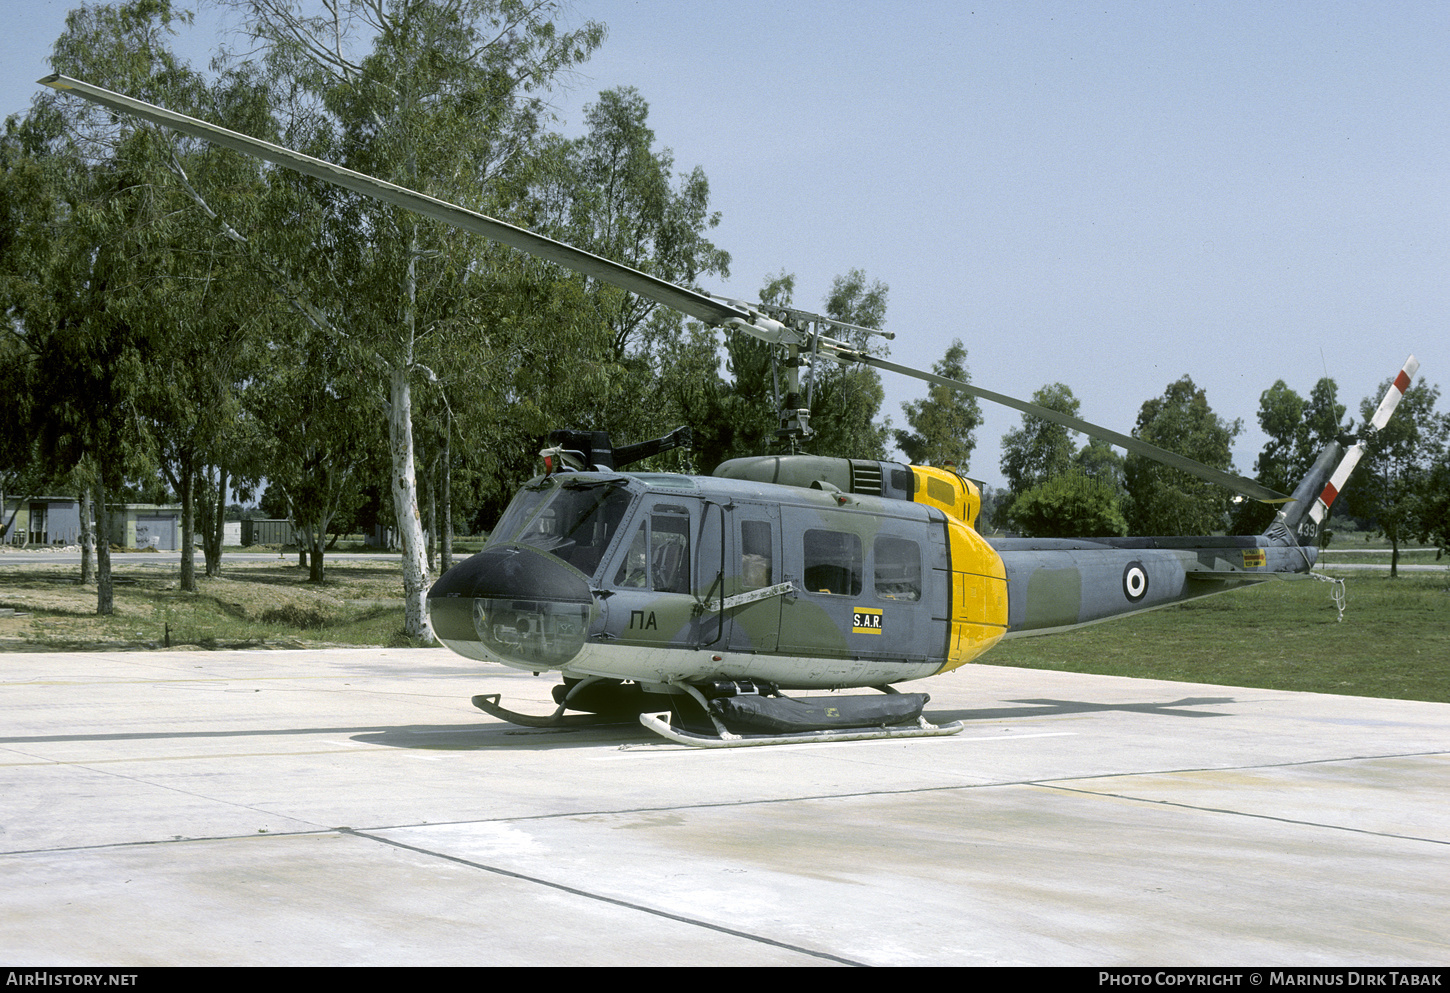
713, 597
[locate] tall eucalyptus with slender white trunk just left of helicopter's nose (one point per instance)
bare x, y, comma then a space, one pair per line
439, 96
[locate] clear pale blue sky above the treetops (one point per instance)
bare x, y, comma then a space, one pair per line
1109, 196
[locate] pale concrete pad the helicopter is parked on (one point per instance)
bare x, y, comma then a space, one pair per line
352, 808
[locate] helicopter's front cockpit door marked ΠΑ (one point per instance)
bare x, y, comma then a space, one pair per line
668, 560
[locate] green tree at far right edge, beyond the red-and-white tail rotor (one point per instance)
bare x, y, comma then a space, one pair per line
1394, 483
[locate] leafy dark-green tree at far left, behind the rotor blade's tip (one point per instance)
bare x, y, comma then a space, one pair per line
96, 246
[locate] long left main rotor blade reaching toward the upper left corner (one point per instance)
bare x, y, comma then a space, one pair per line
691, 302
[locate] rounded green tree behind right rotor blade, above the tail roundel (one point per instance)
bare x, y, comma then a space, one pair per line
1165, 501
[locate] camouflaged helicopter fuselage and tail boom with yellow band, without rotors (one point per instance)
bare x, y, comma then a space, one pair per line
803, 572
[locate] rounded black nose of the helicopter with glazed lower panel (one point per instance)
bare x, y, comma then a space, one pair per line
514, 605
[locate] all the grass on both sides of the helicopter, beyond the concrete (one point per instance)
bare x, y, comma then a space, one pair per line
1394, 640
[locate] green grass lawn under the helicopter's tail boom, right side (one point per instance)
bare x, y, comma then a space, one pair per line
1394, 640
